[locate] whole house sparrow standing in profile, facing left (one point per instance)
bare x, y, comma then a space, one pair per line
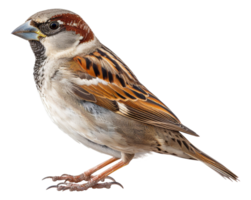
90, 94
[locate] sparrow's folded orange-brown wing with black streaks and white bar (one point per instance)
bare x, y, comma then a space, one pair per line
119, 90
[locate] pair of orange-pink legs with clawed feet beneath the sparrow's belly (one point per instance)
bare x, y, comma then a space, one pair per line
91, 178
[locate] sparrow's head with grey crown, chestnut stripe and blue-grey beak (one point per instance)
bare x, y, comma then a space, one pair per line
61, 31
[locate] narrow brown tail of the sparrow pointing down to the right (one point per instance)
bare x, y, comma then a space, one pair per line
216, 166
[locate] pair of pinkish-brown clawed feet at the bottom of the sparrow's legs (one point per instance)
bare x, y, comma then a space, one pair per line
78, 183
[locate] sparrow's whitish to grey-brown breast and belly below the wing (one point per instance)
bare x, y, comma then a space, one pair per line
90, 125
